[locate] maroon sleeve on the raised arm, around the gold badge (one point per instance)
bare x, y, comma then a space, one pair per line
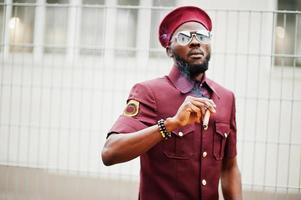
146, 116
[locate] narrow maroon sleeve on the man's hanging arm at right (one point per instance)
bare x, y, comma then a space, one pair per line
230, 149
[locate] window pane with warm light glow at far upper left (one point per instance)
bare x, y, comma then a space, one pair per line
21, 27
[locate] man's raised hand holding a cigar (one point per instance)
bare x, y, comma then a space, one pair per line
193, 110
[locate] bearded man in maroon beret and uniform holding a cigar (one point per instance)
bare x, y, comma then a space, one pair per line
163, 121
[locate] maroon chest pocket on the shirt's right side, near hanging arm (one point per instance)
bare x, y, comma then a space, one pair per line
222, 131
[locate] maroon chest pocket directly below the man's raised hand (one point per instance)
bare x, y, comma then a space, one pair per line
181, 145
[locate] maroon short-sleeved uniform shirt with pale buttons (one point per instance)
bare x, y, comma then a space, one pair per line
188, 165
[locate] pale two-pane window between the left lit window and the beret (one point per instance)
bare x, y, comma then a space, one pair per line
94, 22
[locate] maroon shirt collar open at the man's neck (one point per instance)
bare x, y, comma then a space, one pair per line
184, 84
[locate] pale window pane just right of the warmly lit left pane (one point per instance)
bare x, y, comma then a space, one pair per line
56, 29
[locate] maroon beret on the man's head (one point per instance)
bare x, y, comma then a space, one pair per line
179, 16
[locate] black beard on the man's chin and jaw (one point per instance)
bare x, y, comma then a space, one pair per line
191, 70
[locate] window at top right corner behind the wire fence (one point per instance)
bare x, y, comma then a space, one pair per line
288, 34
